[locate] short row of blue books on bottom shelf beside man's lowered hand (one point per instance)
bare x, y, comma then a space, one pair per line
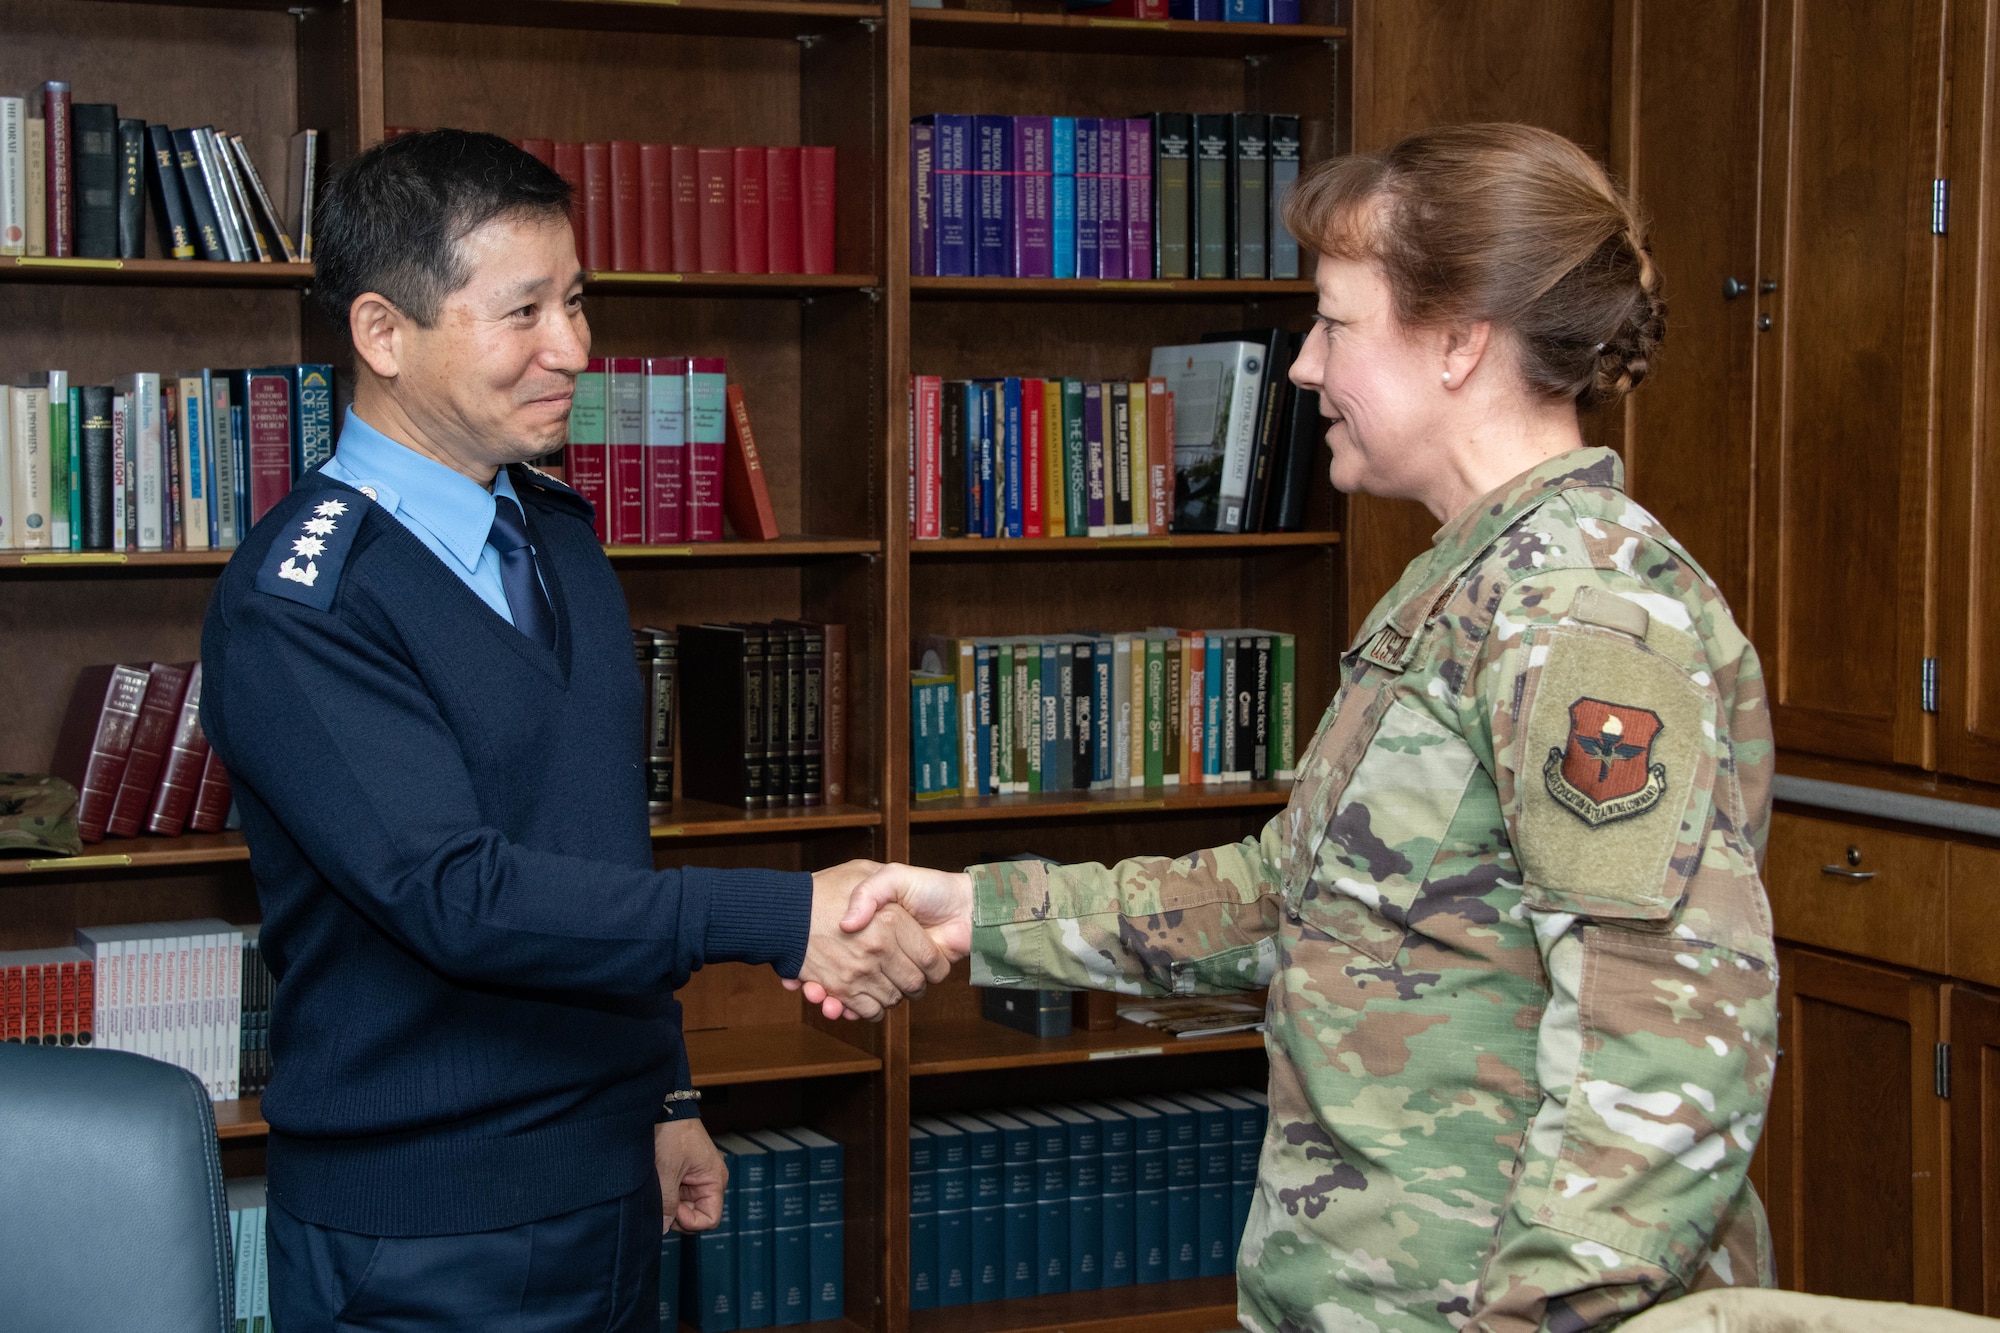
777, 1256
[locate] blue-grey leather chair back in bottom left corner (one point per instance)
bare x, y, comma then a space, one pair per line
111, 1196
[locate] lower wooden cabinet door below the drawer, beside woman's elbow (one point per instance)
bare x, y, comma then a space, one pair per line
1857, 1132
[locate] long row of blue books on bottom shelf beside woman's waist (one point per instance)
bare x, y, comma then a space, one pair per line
1081, 1196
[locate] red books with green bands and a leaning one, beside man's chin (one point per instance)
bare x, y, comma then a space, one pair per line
663, 451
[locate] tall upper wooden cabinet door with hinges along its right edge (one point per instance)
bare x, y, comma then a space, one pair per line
1845, 375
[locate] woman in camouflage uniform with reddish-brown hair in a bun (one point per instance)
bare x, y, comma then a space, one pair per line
1519, 956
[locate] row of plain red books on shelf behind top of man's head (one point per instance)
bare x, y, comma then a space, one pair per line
689, 209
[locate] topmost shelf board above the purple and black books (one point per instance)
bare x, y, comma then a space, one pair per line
1111, 35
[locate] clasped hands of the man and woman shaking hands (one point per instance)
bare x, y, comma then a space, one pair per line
881, 934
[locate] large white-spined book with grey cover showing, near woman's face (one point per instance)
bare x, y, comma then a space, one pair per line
1215, 391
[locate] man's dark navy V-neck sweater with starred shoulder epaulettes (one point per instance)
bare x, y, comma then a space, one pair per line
475, 956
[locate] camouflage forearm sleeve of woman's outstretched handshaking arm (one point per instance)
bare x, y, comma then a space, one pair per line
1151, 926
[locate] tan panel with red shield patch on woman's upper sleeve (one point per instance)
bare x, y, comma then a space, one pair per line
1615, 778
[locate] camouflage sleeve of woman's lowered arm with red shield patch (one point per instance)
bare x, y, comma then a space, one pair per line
1655, 1052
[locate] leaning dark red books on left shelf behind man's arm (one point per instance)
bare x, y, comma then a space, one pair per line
133, 748
